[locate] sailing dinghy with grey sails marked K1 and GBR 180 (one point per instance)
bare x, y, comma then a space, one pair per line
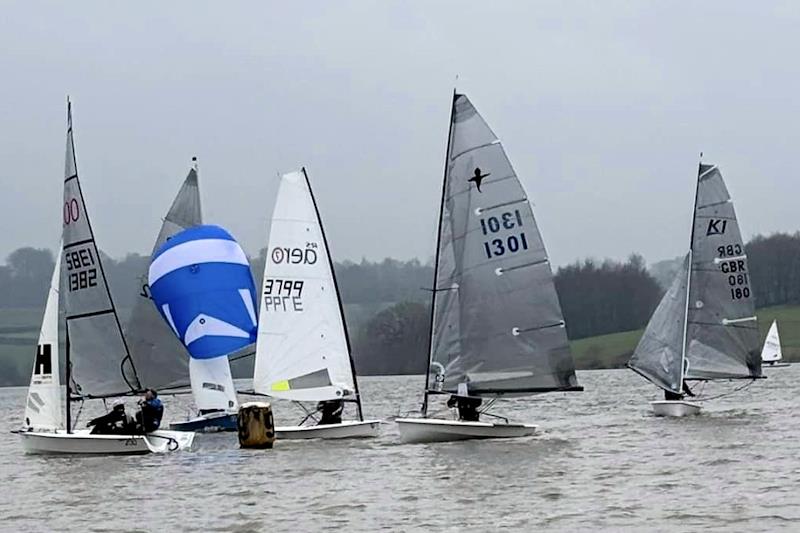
705, 327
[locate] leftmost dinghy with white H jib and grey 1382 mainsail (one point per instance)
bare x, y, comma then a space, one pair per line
98, 365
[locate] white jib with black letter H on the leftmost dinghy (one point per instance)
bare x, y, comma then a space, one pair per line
43, 408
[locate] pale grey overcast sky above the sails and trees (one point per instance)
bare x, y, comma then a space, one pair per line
603, 108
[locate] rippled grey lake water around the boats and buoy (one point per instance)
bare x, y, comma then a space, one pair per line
602, 462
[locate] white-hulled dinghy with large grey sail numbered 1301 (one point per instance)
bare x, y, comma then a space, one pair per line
496, 324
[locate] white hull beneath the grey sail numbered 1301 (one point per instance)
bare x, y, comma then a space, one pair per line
419, 430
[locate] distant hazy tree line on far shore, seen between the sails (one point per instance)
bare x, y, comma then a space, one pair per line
388, 308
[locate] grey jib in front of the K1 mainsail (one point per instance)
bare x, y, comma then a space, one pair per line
659, 354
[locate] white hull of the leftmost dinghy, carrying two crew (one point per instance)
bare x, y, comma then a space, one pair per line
83, 442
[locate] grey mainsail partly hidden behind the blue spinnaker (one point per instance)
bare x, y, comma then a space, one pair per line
161, 359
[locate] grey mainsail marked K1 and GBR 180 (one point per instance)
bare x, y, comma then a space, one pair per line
722, 332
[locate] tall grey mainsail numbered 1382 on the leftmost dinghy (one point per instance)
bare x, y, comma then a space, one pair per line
97, 355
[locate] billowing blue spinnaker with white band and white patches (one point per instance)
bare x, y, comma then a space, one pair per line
200, 280
